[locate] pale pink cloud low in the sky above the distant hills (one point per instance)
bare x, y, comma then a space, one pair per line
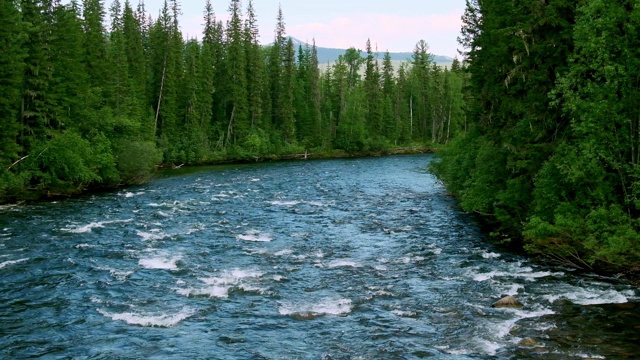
389, 32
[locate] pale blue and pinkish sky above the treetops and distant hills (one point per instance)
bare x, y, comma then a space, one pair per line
391, 25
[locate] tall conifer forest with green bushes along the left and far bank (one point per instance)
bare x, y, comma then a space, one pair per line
84, 107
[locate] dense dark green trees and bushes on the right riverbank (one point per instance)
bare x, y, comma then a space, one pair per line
552, 150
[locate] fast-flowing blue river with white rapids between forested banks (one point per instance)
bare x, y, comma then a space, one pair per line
336, 259
